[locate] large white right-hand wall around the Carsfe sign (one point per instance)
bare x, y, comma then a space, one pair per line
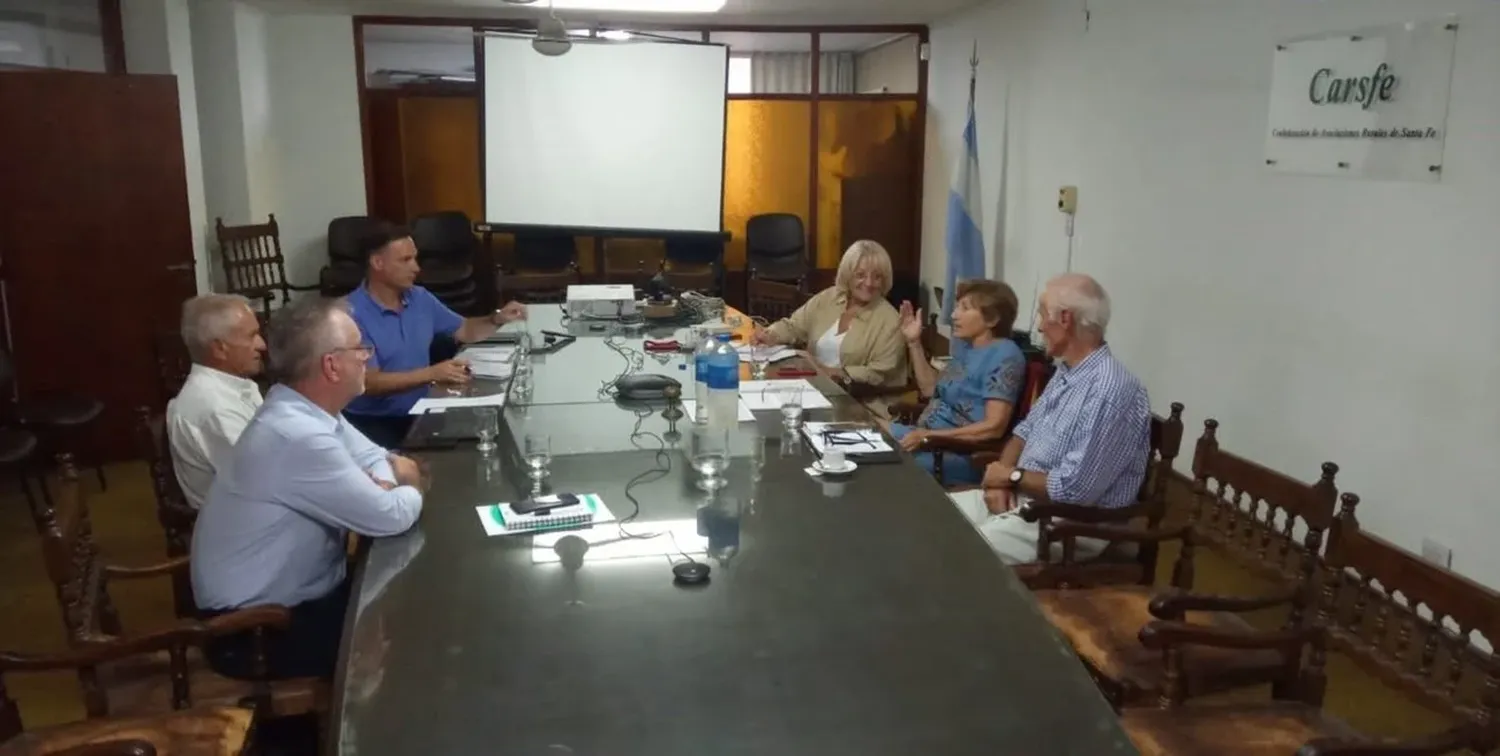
1318, 319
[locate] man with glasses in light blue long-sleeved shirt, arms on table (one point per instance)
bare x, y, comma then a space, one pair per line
275, 526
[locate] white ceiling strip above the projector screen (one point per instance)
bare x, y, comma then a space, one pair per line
736, 11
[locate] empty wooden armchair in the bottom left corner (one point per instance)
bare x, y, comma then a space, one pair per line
206, 731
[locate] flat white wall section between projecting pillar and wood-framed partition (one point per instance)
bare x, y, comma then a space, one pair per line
316, 124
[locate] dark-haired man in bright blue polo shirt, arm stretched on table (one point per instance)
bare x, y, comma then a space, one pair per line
400, 320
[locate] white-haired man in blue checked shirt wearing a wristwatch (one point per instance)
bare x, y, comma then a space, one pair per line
1085, 440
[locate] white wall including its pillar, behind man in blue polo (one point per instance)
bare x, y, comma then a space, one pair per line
280, 119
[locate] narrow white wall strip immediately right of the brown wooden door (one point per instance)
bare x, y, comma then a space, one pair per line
158, 40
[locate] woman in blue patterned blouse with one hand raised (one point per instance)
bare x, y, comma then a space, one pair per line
974, 397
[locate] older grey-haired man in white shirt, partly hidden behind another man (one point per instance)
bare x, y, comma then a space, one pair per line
220, 397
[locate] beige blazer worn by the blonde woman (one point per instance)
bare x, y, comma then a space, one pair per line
874, 350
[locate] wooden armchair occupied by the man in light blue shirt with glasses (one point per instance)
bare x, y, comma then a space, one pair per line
149, 685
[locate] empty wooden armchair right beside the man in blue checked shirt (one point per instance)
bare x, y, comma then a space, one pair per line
1103, 623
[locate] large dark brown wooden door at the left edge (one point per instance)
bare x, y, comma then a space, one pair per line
95, 236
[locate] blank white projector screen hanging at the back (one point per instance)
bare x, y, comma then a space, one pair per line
623, 136
